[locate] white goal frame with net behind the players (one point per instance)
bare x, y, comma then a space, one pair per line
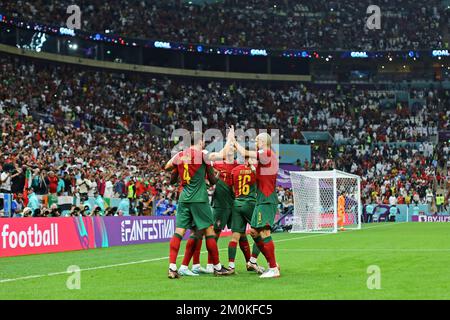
325, 201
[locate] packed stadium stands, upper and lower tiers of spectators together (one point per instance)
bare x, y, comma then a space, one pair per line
73, 129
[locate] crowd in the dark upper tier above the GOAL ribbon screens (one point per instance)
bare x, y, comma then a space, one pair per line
321, 24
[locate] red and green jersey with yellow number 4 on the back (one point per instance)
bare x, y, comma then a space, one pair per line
192, 171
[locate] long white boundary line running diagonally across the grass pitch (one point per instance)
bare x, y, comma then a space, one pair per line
163, 258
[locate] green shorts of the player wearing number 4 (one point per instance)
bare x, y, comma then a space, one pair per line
196, 214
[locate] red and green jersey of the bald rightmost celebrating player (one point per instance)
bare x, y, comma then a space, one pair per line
266, 177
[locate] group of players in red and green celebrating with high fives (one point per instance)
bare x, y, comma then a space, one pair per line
244, 193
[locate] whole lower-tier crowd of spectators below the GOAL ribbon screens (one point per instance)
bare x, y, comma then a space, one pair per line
71, 131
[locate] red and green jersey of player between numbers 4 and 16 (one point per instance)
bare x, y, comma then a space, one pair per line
223, 193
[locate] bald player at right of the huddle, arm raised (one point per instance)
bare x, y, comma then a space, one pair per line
266, 199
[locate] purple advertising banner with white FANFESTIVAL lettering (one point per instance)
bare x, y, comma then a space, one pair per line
137, 230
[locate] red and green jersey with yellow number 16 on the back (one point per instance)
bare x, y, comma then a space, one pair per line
244, 184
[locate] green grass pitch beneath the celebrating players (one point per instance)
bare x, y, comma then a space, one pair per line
413, 258
